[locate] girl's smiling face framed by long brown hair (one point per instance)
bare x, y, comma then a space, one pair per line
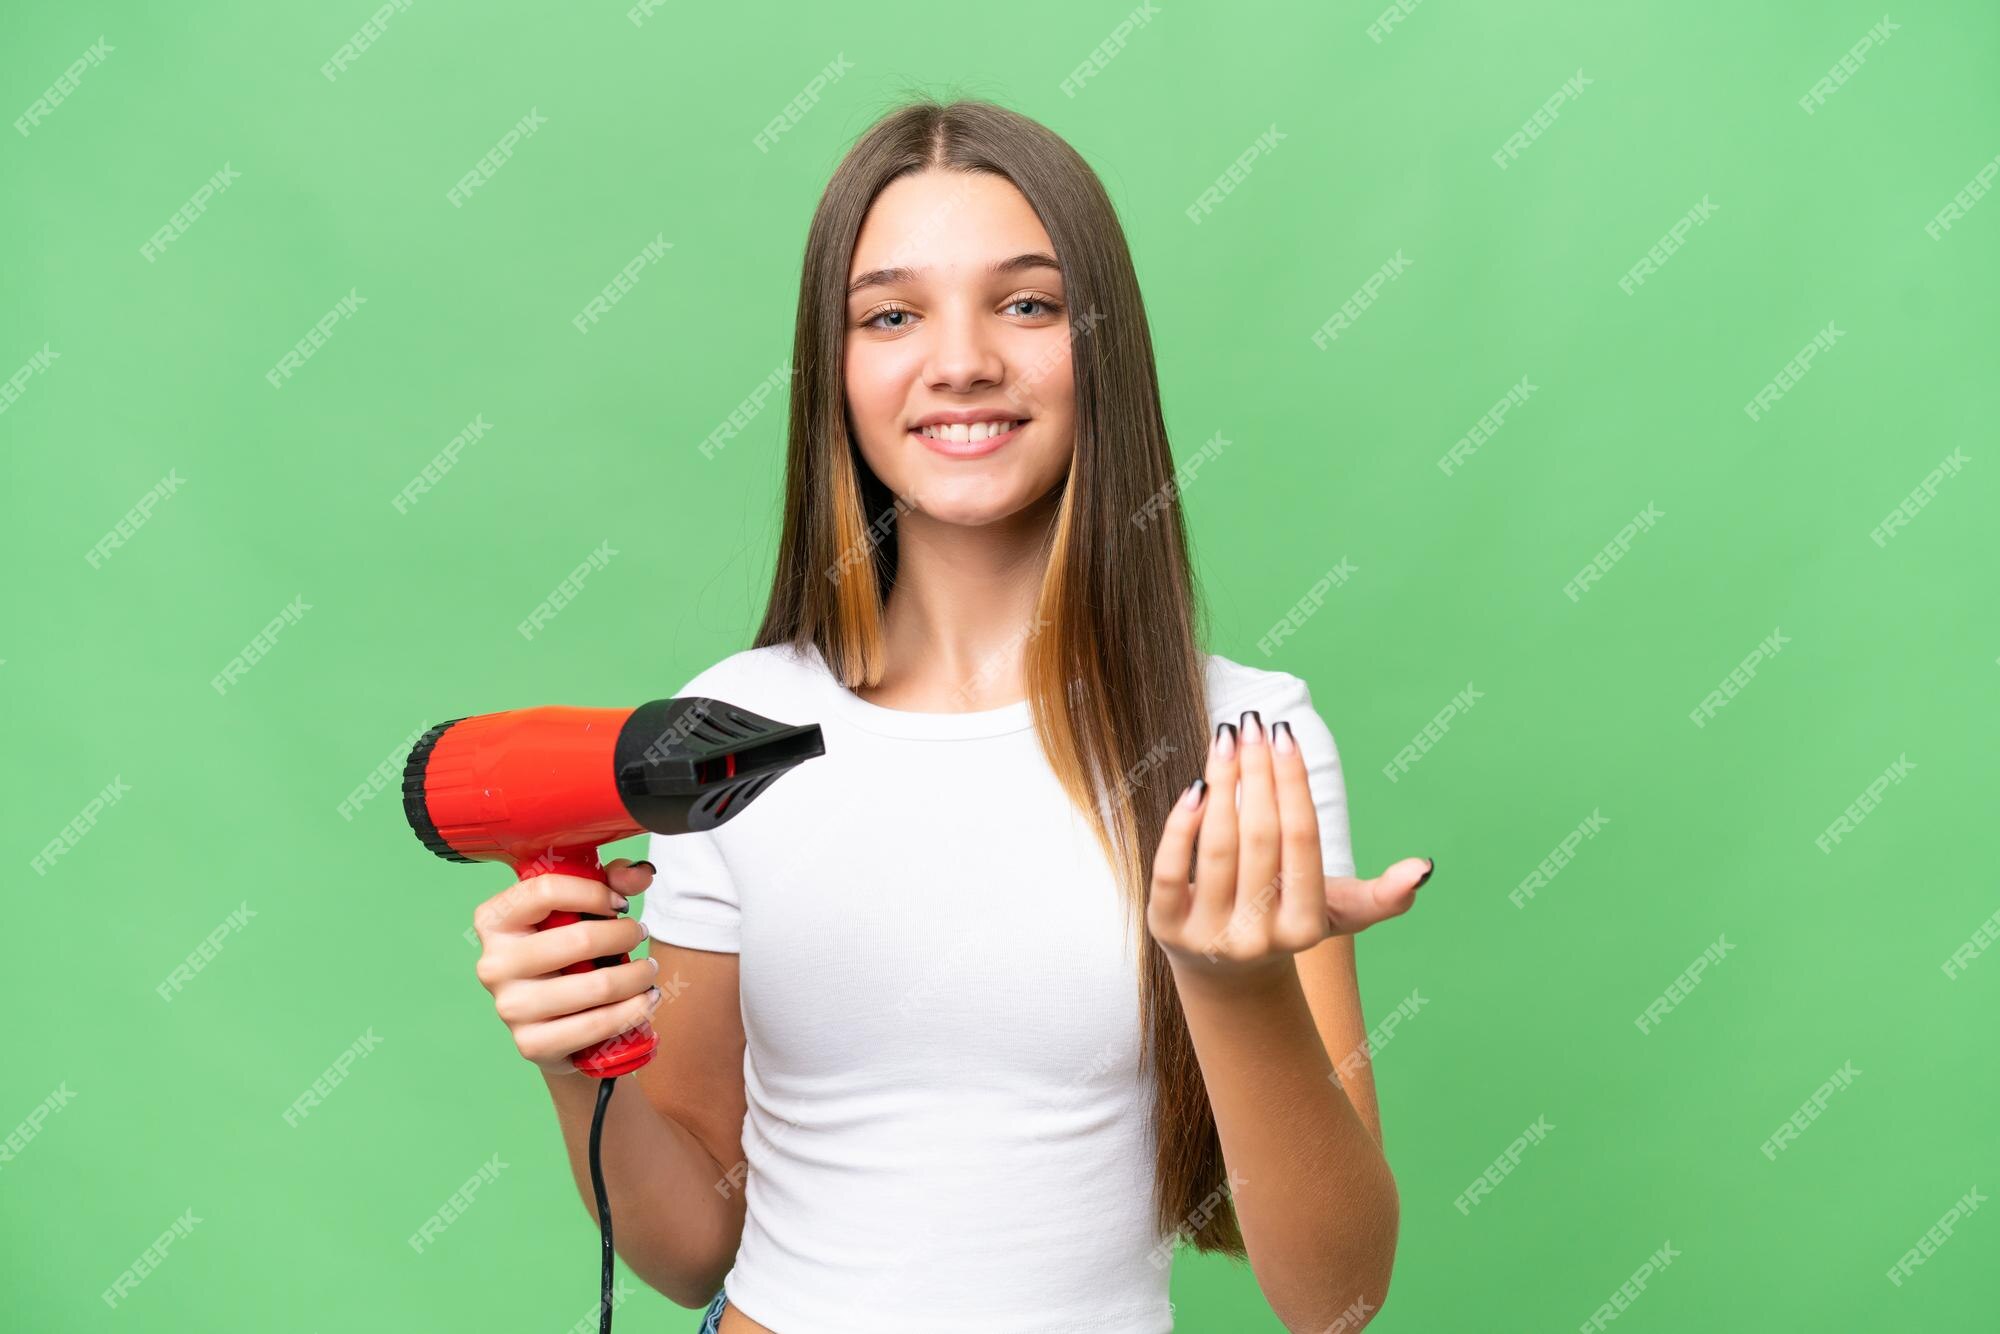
957, 311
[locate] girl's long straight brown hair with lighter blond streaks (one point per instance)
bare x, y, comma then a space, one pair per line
1113, 665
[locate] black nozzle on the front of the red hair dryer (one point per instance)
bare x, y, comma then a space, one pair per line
693, 763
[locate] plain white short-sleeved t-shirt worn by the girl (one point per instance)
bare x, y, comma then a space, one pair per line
947, 1119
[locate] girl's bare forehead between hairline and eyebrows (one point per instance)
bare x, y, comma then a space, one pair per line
951, 223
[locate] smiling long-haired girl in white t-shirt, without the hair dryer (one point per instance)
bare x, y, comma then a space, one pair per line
1047, 965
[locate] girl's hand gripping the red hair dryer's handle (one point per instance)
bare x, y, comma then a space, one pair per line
555, 1013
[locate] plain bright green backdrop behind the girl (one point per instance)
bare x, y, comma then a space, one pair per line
141, 1107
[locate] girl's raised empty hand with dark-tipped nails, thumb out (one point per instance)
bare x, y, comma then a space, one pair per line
1259, 893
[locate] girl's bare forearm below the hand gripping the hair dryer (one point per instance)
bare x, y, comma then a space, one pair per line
671, 1221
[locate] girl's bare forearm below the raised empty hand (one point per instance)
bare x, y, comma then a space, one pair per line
1313, 1191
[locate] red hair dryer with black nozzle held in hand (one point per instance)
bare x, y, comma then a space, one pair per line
541, 789
